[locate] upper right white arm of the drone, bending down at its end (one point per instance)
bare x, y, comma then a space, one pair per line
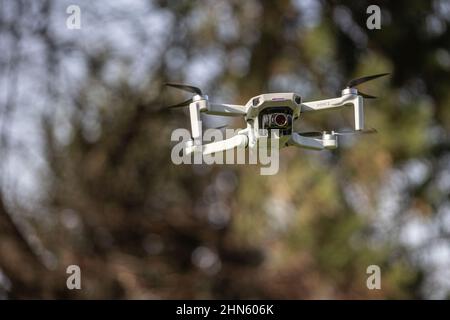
353, 99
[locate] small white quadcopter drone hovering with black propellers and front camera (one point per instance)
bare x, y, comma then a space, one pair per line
273, 115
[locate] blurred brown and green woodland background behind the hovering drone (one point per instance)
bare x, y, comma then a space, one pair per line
85, 171
